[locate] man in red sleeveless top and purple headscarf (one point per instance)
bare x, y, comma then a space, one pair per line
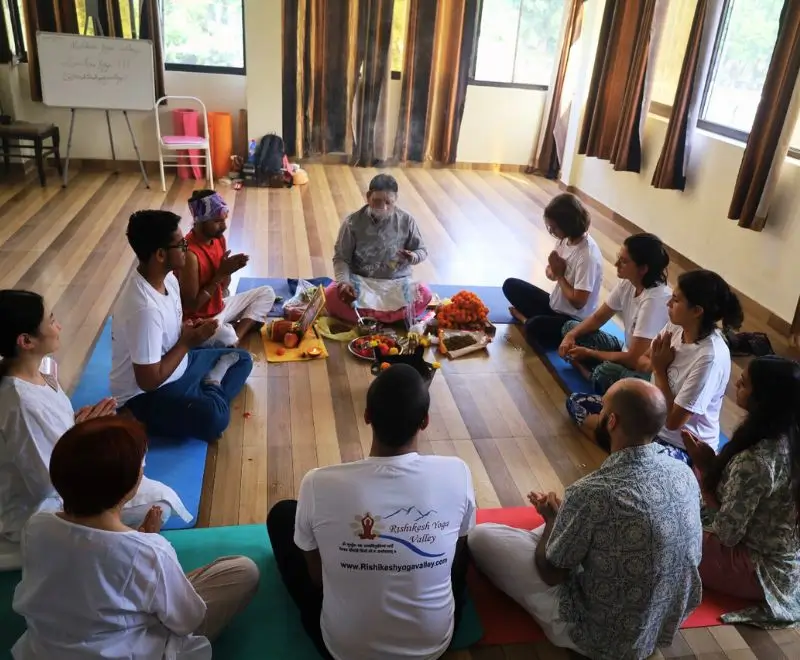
206, 275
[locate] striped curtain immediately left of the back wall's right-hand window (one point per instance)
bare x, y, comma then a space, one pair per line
438, 50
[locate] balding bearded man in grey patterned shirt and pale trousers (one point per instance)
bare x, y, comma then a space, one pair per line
613, 572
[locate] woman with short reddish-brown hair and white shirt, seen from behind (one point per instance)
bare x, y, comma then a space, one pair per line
93, 587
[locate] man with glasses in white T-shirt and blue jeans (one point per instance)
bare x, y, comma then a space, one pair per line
173, 390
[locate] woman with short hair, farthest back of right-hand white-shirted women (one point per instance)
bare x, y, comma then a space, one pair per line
575, 265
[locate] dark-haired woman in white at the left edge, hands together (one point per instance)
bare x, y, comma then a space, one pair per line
35, 412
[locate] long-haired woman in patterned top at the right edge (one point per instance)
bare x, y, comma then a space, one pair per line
751, 492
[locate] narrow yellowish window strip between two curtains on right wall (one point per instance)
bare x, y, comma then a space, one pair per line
668, 60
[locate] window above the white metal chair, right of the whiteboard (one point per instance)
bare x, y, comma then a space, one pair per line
204, 35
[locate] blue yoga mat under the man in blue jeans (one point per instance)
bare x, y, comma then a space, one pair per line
177, 462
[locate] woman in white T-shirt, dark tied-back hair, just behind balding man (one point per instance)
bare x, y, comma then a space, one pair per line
690, 363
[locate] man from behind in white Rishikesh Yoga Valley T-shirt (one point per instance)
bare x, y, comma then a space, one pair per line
373, 552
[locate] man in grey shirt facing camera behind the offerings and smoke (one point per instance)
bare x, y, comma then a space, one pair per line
375, 252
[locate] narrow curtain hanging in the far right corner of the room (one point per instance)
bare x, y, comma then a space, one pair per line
549, 148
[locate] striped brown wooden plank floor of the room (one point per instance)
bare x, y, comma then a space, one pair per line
503, 414
